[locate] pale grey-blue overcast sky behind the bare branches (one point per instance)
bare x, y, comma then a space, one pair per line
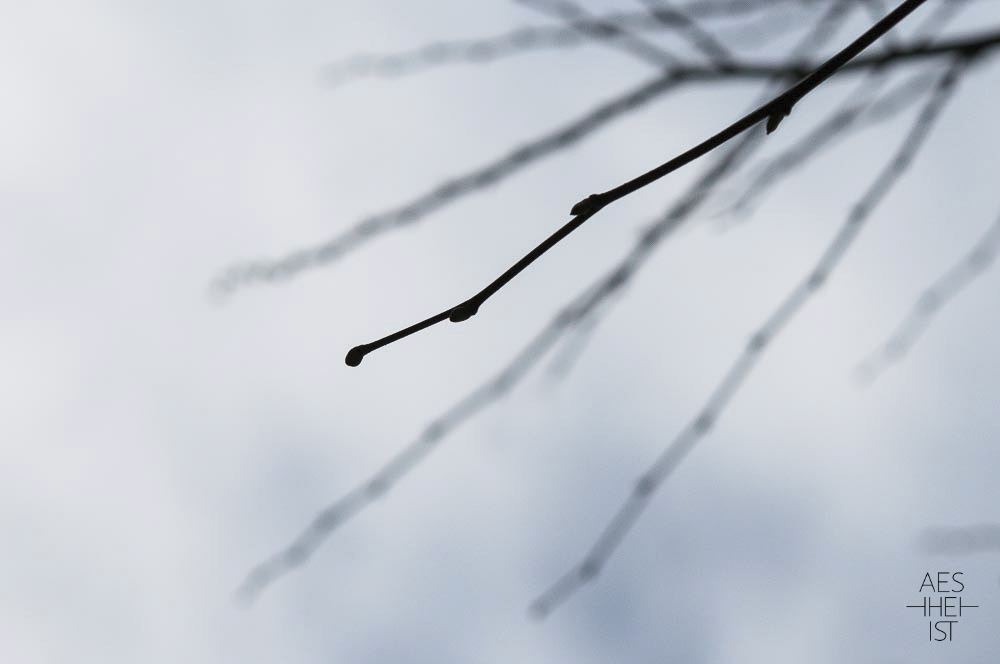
155, 445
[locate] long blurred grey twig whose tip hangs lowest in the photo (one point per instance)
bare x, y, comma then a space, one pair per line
709, 414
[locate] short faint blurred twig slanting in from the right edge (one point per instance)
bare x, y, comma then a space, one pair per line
930, 303
